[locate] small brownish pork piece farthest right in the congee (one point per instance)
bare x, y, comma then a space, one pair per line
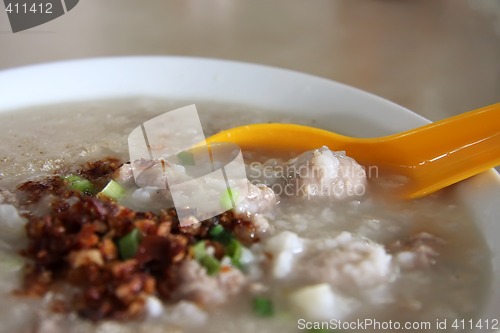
418, 252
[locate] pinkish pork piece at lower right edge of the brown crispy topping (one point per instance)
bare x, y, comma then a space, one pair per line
197, 286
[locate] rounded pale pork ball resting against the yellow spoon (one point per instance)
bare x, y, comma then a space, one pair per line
325, 173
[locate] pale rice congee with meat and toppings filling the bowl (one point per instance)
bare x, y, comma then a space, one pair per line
317, 244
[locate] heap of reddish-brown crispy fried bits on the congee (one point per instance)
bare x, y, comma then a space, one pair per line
77, 242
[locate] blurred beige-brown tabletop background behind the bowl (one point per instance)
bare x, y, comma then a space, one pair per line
435, 57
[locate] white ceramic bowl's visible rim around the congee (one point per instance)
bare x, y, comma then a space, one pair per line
341, 108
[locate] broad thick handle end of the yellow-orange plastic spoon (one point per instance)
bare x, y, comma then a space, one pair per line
450, 150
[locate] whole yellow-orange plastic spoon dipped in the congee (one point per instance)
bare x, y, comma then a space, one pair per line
431, 157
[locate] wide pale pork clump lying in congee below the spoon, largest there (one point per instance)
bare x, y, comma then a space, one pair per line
344, 262
